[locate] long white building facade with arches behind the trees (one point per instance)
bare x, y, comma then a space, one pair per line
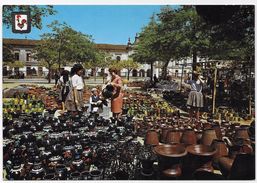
23, 49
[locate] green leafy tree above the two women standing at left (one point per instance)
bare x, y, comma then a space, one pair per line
71, 46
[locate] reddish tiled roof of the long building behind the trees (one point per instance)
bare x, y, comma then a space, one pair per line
30, 42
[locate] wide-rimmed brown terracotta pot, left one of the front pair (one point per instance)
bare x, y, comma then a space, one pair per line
169, 159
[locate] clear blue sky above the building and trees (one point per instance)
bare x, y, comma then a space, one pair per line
111, 24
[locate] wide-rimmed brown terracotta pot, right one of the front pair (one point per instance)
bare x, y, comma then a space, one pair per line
199, 158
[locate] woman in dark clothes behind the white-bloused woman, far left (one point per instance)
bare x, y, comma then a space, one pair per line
65, 86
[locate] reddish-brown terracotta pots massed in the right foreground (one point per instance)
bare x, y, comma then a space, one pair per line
209, 145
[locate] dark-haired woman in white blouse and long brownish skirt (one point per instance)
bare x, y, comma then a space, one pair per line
76, 101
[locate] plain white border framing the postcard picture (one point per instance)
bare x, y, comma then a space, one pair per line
113, 2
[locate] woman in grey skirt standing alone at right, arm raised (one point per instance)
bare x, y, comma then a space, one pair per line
195, 97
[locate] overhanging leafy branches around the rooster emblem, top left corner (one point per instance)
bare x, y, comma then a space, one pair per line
36, 13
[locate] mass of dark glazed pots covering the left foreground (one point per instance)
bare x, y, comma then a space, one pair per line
40, 147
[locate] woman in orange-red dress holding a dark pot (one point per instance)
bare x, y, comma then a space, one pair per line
116, 100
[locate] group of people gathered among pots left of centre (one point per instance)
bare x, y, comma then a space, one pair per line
72, 85
